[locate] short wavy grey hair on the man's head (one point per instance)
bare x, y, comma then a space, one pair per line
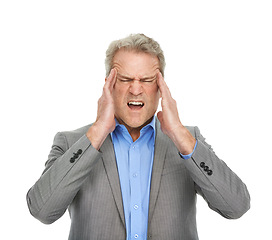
138, 43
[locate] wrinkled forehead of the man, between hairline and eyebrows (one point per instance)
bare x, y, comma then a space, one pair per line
135, 64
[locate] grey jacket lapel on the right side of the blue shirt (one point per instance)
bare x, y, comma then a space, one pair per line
161, 144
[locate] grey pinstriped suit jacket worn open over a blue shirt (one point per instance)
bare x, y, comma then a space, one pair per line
86, 181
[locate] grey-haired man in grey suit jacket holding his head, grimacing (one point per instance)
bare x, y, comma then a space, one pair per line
131, 175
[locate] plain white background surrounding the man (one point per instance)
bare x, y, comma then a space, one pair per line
219, 60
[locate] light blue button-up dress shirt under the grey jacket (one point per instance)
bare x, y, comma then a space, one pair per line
134, 163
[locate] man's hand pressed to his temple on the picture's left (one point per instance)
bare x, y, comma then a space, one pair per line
105, 122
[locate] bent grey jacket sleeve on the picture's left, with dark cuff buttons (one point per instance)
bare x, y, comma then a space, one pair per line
66, 169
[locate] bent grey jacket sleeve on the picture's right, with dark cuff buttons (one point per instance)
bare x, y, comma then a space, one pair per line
223, 190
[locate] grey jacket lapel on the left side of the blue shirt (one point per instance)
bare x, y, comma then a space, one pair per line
108, 158
